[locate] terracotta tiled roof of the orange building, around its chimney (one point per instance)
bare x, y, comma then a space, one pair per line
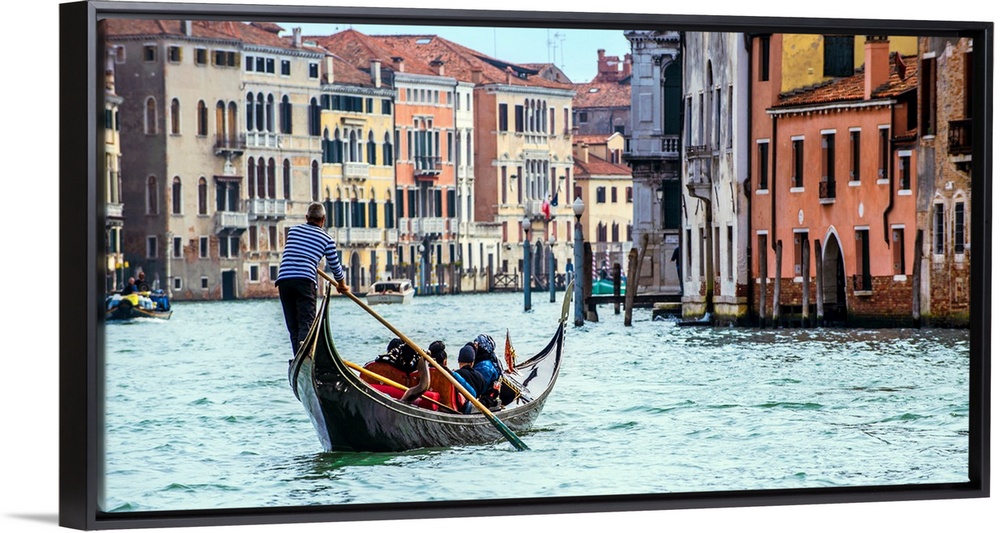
852, 88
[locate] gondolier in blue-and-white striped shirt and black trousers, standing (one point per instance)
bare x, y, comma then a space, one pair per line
305, 246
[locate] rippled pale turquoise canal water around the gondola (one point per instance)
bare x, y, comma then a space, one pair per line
199, 413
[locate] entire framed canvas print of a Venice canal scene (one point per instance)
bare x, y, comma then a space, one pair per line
355, 263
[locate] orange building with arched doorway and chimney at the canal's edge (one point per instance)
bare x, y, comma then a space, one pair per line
833, 173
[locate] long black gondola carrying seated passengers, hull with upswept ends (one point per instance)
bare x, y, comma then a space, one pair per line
350, 413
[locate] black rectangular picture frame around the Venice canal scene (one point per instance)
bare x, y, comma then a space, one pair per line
80, 344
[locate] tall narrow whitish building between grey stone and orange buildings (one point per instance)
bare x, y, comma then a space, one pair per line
715, 206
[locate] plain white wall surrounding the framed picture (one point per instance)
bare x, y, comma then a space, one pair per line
29, 445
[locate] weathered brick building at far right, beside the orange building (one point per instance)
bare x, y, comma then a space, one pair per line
944, 186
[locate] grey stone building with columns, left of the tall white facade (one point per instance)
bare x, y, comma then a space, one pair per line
653, 153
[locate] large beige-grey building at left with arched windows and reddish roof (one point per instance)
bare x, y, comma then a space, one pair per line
171, 73
